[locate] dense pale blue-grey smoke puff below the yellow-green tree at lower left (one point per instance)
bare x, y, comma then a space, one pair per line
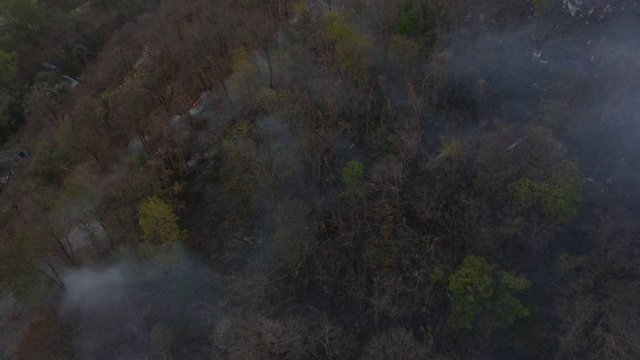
129, 309
